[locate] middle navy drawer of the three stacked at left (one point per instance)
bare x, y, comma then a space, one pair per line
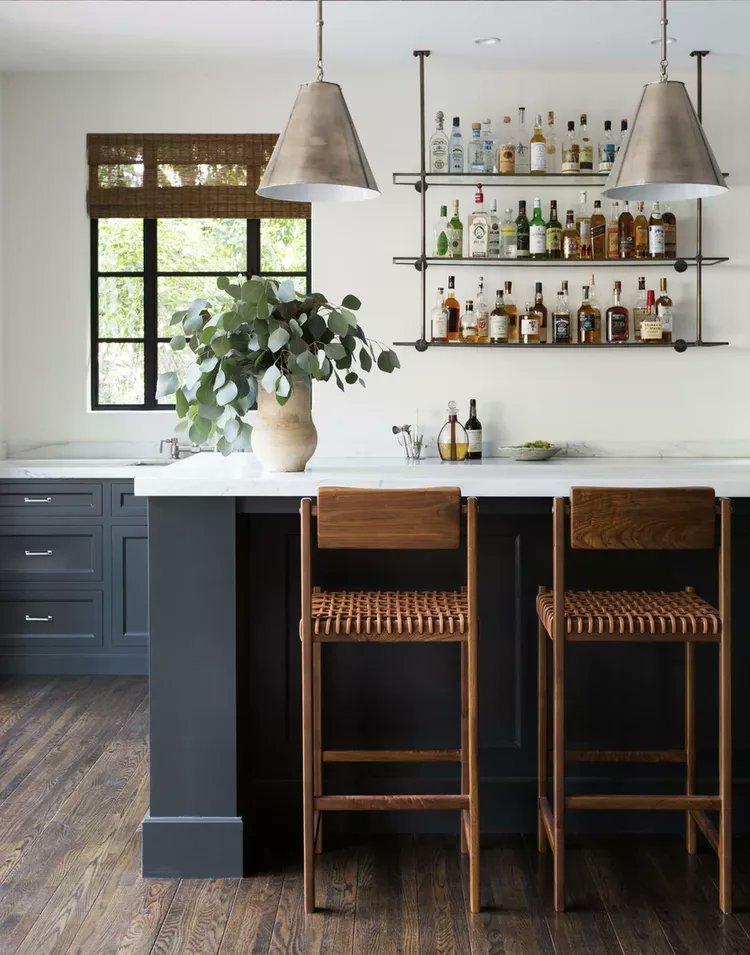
50, 553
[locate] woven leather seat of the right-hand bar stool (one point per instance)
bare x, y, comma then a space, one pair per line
632, 613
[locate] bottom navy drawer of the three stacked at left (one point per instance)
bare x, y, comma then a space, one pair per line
51, 618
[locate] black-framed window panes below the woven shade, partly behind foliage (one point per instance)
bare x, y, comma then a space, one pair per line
143, 270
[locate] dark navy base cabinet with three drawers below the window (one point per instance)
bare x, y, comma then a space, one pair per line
73, 577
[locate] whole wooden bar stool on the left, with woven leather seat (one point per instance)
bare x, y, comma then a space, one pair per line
361, 519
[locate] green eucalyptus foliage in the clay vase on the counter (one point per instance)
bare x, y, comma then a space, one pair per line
267, 335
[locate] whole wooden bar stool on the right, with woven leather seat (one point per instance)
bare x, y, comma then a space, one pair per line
637, 519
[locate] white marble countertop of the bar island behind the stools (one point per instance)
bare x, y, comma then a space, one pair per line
240, 475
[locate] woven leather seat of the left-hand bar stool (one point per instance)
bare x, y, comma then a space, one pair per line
383, 614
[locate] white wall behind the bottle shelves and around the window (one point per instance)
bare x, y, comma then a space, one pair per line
597, 396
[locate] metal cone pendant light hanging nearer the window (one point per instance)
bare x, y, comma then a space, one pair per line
318, 157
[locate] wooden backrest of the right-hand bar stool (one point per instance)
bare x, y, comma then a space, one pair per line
603, 518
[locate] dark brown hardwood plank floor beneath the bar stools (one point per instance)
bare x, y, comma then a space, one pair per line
74, 788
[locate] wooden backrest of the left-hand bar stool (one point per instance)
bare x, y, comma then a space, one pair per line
384, 519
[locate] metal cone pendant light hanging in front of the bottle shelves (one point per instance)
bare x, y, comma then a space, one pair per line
666, 156
